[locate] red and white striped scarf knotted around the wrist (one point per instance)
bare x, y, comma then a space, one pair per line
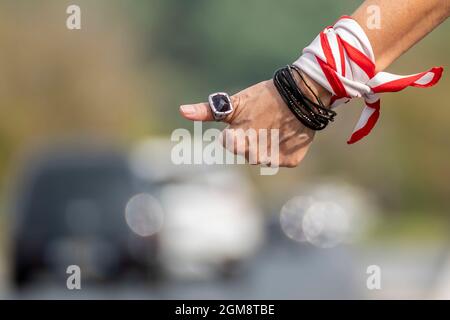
341, 59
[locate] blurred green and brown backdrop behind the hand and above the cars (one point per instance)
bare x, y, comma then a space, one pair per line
123, 76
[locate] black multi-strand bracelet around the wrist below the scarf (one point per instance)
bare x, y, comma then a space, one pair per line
311, 114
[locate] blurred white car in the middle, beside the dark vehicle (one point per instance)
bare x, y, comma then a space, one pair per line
212, 222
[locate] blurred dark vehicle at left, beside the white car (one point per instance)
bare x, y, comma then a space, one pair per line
70, 211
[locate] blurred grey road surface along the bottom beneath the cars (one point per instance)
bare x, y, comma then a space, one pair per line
282, 270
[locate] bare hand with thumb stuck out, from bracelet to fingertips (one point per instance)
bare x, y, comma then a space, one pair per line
261, 107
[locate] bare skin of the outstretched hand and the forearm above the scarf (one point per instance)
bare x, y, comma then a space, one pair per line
404, 23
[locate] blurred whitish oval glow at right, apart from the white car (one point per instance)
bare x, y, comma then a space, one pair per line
327, 214
